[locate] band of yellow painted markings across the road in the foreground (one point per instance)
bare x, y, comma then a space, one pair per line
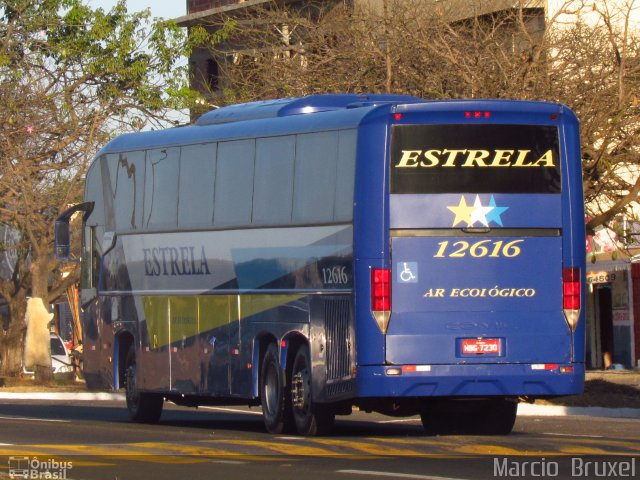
205, 450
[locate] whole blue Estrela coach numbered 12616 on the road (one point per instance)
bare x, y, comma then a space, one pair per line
312, 255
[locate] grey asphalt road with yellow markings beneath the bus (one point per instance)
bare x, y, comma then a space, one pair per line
94, 440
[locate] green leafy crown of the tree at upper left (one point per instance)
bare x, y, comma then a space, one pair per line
119, 56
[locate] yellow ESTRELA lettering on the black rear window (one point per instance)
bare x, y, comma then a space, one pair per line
473, 158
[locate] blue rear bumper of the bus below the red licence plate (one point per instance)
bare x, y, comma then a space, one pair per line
469, 380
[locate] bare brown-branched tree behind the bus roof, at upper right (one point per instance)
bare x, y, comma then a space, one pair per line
584, 54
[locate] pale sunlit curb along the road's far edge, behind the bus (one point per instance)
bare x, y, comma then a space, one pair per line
524, 409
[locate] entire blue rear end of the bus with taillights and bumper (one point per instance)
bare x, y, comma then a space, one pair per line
479, 292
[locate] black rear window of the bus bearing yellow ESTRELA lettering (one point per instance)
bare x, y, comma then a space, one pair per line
475, 159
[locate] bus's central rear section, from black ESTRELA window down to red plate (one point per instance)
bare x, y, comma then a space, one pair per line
476, 245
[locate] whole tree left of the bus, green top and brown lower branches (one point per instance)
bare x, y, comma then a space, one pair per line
70, 78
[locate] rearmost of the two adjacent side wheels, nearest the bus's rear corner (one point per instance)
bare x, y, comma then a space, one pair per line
310, 418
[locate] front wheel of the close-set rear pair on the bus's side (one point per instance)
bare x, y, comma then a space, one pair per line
276, 408
